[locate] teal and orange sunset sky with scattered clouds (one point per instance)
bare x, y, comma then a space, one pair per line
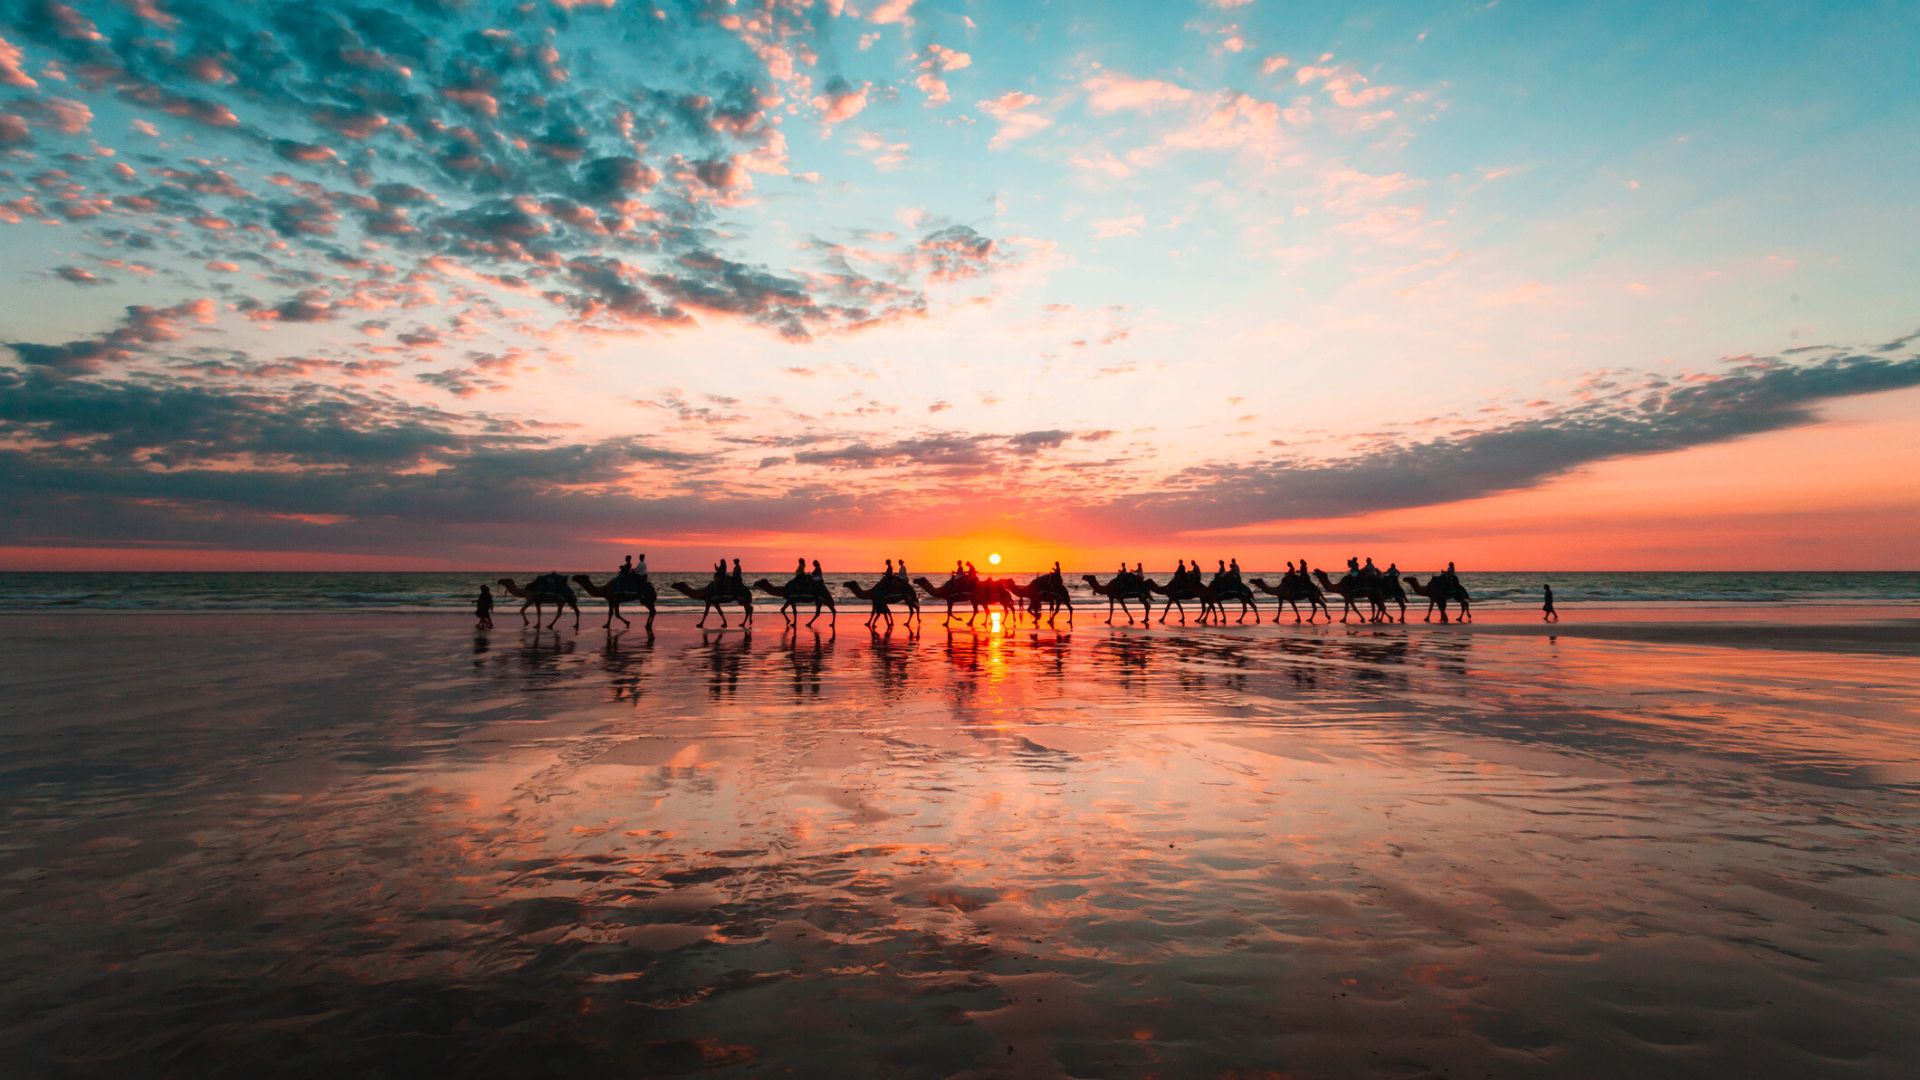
462, 283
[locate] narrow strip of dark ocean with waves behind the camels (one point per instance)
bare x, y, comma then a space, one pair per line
454, 591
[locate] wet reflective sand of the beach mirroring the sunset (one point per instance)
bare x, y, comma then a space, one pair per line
1639, 845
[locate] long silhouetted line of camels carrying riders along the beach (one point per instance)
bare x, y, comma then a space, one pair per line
1366, 593
